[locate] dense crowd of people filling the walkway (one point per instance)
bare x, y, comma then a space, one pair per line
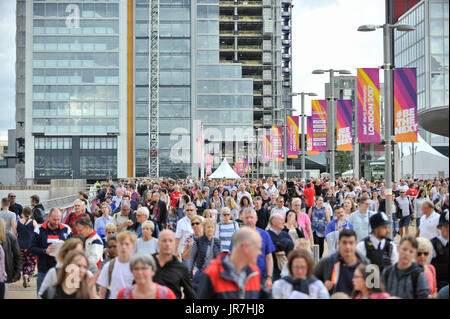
233, 239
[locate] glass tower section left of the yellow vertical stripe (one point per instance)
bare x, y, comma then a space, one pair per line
74, 97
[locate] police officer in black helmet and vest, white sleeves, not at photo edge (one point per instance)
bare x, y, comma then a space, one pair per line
377, 247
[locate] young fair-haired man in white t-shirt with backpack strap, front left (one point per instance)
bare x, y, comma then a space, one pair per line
116, 274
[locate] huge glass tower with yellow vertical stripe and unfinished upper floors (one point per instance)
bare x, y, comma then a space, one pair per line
117, 88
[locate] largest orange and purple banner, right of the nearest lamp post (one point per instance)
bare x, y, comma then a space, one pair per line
405, 105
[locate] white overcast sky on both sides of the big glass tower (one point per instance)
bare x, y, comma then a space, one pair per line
324, 37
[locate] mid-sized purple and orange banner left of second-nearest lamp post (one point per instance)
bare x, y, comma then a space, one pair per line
319, 125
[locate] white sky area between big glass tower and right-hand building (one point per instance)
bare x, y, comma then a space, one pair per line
325, 36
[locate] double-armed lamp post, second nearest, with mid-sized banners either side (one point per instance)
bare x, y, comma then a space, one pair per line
331, 120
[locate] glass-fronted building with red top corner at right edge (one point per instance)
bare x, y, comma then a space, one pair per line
427, 49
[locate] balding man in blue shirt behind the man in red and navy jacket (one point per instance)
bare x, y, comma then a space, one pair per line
265, 260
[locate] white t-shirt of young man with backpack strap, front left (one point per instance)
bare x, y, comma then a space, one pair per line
121, 277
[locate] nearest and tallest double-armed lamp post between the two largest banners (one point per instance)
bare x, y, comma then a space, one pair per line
387, 67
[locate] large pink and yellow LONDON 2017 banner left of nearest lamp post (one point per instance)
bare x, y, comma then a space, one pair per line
368, 104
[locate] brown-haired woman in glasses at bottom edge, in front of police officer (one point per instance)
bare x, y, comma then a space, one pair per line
361, 291
